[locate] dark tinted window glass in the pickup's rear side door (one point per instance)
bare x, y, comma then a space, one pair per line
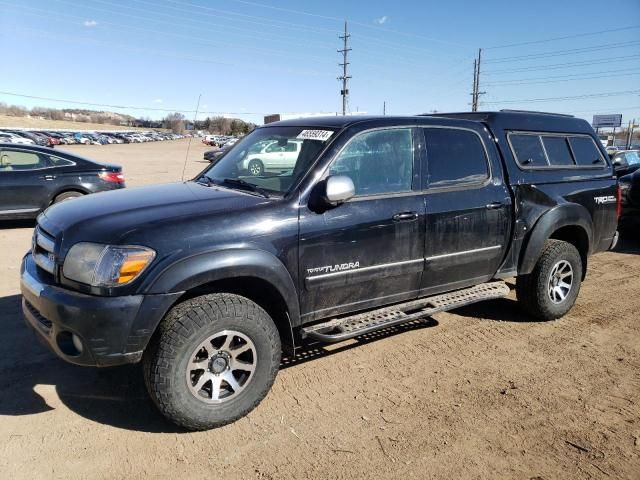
454, 156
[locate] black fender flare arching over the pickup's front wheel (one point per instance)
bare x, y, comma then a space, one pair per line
202, 268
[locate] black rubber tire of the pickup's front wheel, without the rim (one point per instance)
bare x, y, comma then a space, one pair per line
186, 326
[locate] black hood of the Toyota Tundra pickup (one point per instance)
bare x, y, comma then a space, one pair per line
106, 217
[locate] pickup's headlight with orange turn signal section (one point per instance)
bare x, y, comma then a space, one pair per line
106, 265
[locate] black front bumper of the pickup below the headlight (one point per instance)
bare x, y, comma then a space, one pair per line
89, 330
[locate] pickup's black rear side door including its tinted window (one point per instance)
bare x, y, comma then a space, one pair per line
468, 208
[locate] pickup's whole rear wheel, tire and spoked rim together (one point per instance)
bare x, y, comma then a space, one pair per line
551, 289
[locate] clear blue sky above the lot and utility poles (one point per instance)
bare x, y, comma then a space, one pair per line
251, 58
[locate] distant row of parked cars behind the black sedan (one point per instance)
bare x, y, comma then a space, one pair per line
51, 138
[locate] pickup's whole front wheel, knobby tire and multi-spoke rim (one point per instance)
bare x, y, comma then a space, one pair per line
212, 360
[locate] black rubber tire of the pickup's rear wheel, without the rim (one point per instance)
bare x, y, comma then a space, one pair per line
532, 289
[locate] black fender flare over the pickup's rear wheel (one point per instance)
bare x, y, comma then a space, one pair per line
566, 214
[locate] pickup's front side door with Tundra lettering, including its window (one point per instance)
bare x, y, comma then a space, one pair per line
368, 251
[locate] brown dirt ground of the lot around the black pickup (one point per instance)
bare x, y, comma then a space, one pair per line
481, 392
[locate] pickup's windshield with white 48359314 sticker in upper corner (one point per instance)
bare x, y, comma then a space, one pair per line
272, 159
